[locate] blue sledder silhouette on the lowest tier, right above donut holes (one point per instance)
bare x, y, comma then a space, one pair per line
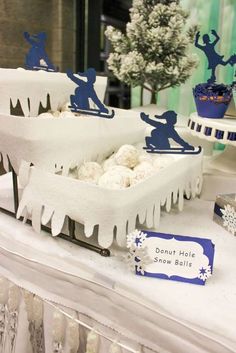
159, 142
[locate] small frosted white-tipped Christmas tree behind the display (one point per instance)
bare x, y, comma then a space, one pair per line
153, 53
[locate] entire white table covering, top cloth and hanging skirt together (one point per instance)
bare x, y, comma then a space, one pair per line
142, 314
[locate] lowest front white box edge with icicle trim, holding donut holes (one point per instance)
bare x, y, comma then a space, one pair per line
48, 196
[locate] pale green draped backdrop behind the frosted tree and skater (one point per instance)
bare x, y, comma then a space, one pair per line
209, 14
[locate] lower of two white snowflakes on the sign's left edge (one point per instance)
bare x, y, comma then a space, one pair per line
138, 259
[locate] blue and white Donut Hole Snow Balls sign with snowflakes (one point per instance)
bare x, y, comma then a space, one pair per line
173, 257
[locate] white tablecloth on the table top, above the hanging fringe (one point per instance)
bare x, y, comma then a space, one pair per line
160, 315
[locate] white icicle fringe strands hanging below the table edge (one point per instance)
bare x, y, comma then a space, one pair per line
34, 307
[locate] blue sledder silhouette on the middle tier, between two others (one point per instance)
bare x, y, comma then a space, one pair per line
85, 92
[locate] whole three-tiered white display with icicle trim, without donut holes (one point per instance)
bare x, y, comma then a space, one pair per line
57, 144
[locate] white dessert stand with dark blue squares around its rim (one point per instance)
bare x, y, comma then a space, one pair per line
217, 130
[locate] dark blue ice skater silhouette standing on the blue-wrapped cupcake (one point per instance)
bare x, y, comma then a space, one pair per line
214, 59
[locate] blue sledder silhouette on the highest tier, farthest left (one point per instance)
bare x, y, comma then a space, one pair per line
37, 58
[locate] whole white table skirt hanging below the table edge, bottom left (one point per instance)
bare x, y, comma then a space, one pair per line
30, 324
